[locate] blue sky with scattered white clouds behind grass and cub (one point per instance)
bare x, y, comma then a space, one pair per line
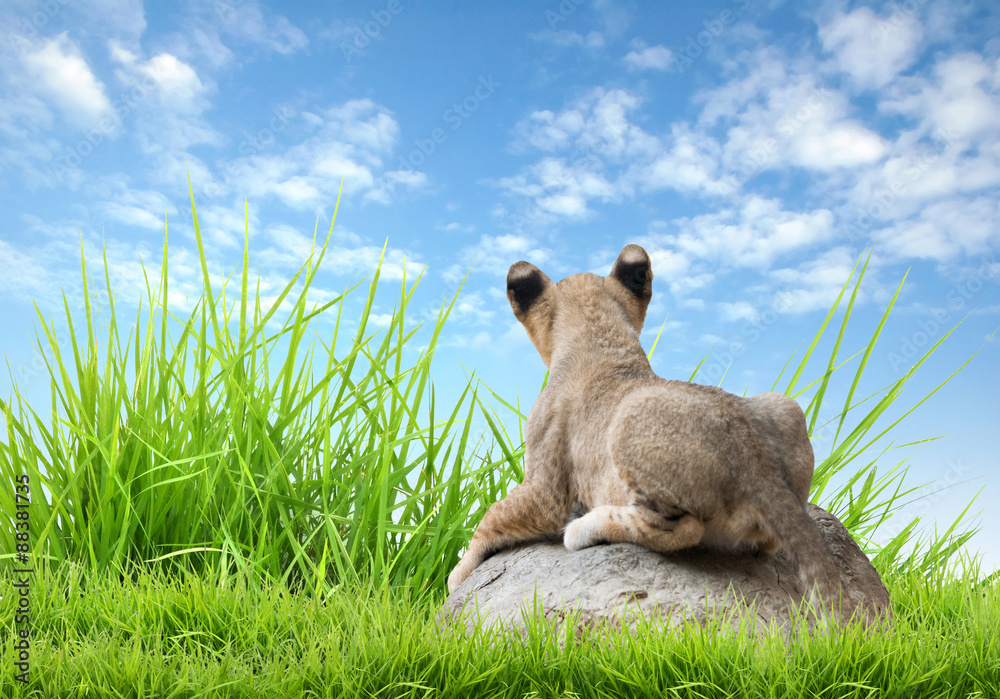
755, 149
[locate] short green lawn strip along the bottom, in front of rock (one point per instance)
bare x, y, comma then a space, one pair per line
153, 635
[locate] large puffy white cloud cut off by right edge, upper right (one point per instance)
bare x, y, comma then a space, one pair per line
930, 197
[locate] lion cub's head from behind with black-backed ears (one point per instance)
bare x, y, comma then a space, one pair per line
582, 303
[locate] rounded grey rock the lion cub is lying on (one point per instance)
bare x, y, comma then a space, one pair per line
618, 583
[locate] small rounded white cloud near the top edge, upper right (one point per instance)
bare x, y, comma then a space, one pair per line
872, 49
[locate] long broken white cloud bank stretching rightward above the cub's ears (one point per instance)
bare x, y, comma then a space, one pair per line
775, 116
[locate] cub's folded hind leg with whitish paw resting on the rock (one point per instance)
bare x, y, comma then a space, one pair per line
610, 524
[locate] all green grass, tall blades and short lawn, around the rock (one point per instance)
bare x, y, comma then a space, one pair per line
280, 498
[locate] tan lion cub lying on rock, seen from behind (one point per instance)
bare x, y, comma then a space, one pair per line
664, 464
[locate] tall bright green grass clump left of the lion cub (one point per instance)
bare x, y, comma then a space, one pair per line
226, 440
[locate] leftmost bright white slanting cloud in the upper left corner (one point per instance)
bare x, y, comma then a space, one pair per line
61, 73
